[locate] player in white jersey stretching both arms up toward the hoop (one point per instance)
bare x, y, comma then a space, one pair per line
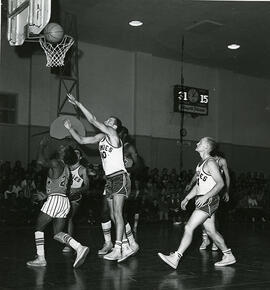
117, 179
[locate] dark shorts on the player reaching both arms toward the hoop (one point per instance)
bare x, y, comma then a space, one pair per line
117, 184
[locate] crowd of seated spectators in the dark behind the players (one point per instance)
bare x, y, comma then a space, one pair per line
156, 197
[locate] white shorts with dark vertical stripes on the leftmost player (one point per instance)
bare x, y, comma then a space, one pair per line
56, 206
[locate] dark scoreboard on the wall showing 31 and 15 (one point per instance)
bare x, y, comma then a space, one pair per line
190, 100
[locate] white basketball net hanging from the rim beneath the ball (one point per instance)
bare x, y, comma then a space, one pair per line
55, 54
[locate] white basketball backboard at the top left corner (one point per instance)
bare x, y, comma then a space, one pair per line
26, 19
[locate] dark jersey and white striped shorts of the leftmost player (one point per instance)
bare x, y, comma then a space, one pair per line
57, 204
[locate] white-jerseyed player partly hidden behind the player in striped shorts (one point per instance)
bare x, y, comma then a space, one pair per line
80, 184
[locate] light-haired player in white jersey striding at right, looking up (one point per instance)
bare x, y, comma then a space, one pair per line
209, 183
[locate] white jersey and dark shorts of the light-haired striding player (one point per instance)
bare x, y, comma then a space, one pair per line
205, 183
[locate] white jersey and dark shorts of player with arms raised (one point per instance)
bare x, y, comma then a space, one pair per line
117, 178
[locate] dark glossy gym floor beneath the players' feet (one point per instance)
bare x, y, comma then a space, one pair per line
250, 244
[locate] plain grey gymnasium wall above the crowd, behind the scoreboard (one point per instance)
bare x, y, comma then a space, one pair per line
137, 87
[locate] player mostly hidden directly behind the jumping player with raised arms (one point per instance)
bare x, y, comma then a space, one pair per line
130, 159
